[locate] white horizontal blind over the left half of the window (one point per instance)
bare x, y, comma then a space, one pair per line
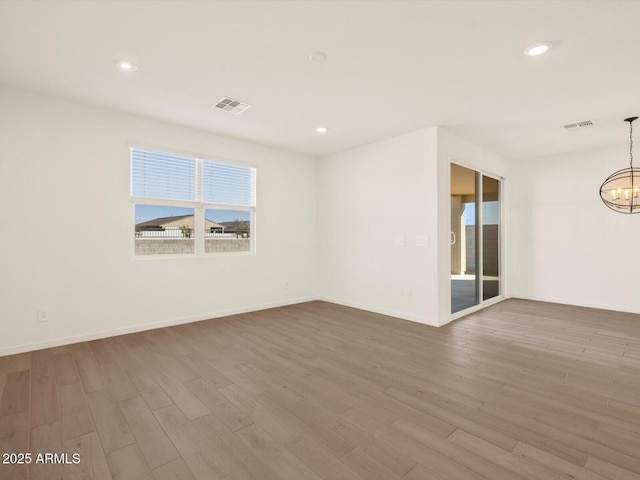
161, 175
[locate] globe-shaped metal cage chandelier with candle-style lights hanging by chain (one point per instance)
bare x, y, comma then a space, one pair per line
621, 190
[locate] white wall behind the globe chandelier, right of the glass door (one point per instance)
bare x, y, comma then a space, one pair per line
566, 245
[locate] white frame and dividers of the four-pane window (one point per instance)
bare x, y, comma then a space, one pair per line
198, 205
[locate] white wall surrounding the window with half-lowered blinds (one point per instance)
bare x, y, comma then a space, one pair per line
66, 228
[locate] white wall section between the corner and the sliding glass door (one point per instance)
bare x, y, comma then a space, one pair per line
369, 196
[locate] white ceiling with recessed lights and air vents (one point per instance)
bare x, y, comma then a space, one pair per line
392, 67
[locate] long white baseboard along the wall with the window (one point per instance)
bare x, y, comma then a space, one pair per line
56, 342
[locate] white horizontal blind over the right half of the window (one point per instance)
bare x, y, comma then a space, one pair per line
228, 184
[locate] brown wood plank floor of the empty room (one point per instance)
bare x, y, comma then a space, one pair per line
520, 390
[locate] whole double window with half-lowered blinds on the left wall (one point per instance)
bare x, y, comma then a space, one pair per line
187, 205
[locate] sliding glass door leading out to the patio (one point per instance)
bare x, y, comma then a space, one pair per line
475, 238
